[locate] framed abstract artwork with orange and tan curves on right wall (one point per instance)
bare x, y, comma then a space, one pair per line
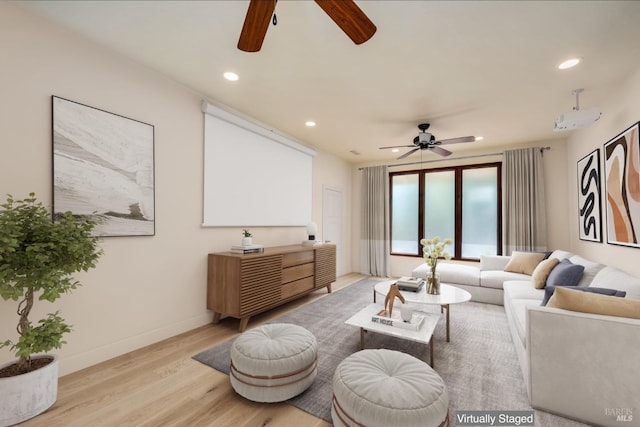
622, 183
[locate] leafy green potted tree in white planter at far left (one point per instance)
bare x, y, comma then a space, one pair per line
38, 257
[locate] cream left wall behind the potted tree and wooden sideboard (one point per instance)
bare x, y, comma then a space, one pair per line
145, 288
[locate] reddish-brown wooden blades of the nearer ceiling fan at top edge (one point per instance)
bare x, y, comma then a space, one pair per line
345, 13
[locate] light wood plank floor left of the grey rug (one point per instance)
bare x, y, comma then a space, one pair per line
161, 385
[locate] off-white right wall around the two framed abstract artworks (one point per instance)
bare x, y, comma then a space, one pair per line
620, 111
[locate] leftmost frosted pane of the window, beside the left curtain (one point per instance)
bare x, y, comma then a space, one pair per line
404, 214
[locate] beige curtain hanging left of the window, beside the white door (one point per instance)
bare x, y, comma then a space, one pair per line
374, 242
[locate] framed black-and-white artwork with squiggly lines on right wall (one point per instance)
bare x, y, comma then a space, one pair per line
589, 197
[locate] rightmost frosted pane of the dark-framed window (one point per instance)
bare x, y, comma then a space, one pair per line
479, 212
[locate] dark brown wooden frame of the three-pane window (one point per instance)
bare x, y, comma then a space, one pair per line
457, 239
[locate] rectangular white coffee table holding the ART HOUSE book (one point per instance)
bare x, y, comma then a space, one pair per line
424, 335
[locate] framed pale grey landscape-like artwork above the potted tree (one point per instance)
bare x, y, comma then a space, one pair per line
103, 165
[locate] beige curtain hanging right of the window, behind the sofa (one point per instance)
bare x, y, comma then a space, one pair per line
524, 224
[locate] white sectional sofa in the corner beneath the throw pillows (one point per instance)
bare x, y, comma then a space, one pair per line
575, 364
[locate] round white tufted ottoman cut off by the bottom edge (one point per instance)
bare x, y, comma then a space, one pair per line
388, 388
